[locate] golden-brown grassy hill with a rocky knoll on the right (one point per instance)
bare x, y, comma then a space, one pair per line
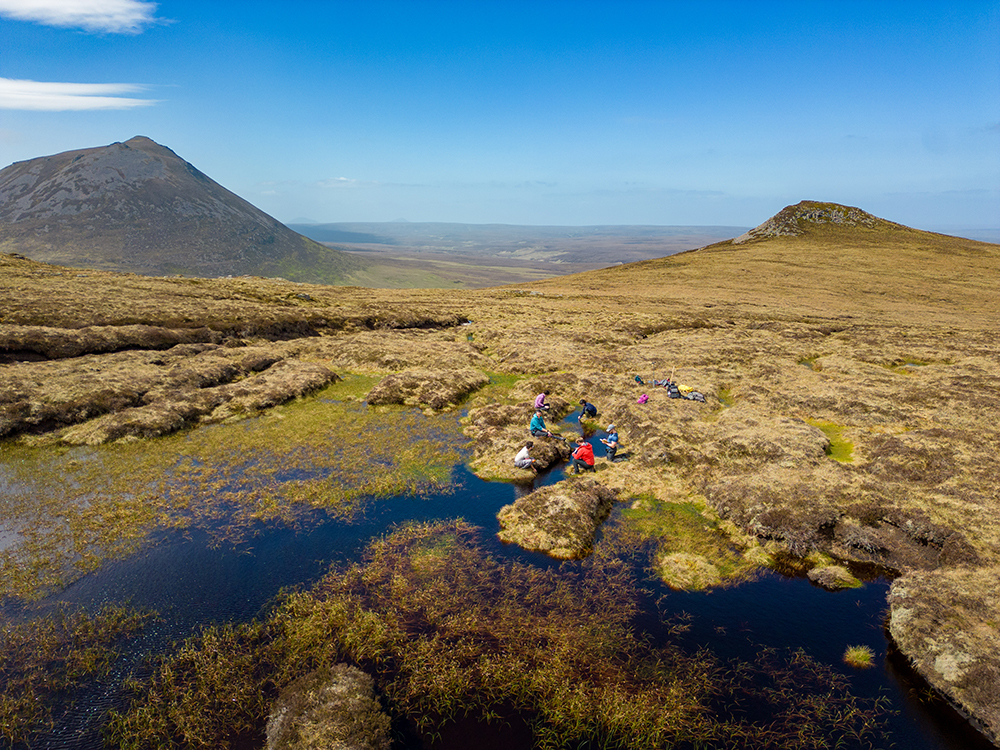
868, 272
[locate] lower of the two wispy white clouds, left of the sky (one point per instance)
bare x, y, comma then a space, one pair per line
61, 97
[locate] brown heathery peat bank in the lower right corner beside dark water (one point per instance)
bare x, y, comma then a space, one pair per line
945, 622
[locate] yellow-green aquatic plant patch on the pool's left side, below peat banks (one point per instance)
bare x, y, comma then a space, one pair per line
74, 508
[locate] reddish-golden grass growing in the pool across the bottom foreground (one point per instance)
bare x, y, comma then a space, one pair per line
450, 632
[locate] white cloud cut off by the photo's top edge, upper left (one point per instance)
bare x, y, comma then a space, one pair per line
109, 16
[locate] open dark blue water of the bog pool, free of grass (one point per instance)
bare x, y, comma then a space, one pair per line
191, 584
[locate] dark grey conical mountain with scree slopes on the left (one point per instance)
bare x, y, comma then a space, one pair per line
138, 207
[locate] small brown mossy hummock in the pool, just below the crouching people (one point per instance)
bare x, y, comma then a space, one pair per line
560, 520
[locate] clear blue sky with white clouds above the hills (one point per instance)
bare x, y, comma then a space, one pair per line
529, 113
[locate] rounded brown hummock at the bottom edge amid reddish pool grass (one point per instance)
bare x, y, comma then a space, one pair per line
329, 708
